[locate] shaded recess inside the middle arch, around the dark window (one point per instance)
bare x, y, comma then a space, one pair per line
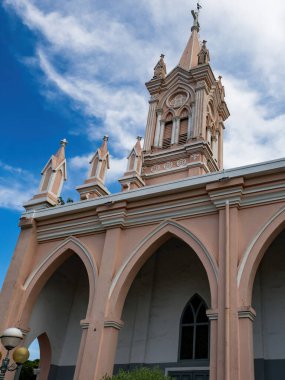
153, 308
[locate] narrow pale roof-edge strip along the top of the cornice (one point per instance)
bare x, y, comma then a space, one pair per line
159, 189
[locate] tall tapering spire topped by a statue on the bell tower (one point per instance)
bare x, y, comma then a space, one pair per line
189, 58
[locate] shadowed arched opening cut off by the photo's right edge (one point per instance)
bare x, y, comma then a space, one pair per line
269, 303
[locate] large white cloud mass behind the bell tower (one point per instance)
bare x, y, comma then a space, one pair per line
99, 57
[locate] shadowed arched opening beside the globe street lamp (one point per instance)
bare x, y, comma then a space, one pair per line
55, 318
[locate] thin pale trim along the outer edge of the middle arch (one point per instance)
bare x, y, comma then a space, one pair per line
148, 237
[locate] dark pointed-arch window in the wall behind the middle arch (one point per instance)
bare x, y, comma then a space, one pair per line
194, 330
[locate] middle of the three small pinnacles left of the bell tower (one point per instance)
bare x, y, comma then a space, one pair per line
93, 186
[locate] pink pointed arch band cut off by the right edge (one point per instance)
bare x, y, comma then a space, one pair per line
255, 252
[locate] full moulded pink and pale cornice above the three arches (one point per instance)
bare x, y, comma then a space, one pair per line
188, 197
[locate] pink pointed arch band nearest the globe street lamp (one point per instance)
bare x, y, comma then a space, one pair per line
48, 266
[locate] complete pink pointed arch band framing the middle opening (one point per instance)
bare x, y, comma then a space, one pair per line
147, 246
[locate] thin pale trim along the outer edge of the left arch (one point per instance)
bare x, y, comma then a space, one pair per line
54, 251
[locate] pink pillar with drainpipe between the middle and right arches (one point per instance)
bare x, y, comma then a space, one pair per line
227, 341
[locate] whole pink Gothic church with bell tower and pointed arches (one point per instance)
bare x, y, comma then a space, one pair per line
184, 269
